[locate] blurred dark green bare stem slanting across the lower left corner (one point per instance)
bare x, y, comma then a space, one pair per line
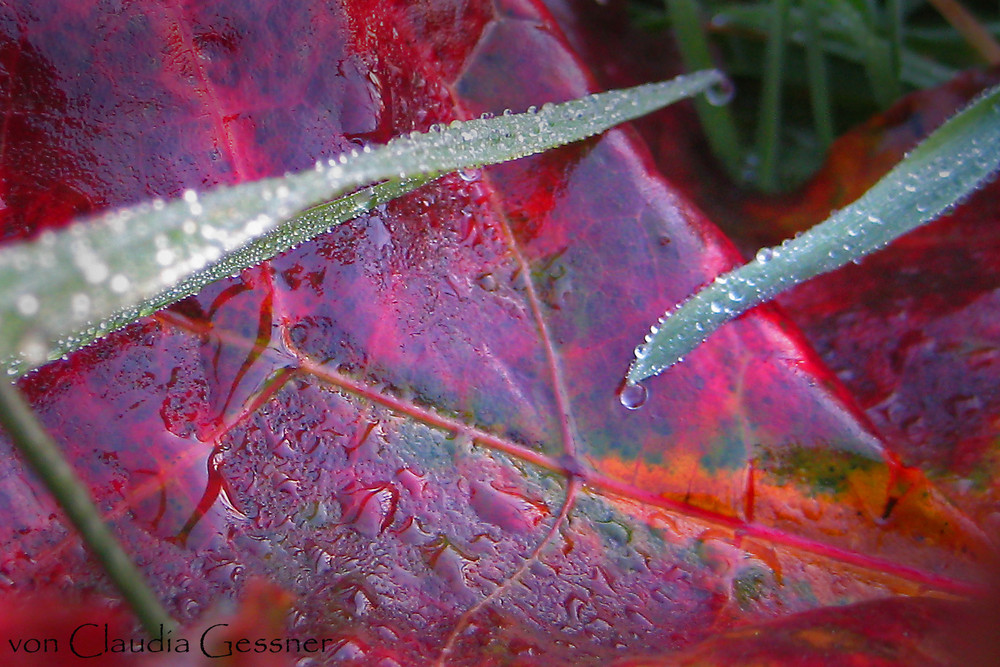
44, 457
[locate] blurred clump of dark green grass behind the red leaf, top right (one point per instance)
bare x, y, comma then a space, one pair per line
793, 113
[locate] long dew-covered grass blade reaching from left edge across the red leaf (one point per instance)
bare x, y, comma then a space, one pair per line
68, 288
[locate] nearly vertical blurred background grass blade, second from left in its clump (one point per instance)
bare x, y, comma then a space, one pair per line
769, 117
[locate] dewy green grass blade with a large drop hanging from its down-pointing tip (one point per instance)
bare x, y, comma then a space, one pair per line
951, 163
